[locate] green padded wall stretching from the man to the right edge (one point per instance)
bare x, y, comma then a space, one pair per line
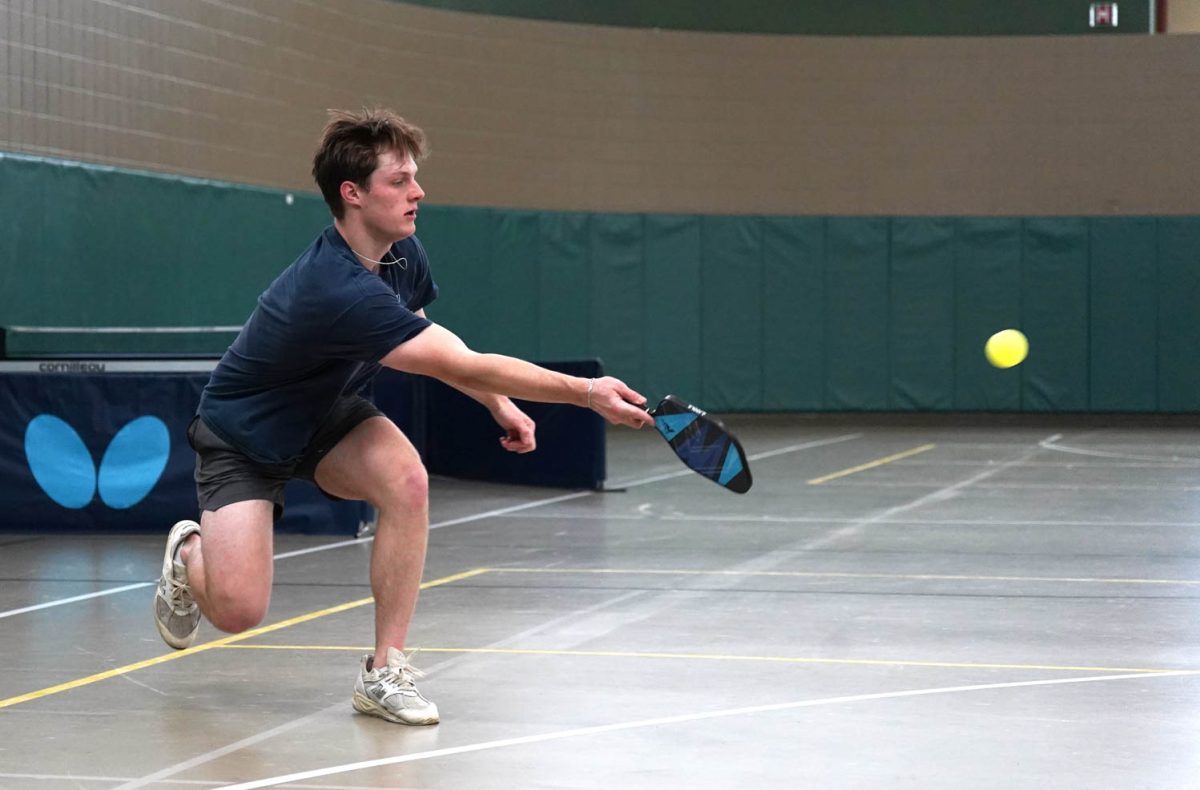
859, 314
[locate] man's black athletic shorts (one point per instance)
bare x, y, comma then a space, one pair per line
224, 475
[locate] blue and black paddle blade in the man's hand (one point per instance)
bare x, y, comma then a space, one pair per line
704, 444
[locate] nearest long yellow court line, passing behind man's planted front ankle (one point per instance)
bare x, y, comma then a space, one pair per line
722, 657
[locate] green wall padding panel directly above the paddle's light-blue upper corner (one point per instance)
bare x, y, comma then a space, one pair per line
673, 308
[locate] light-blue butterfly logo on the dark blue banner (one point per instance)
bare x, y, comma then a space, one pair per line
130, 469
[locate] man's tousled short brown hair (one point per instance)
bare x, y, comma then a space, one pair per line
351, 146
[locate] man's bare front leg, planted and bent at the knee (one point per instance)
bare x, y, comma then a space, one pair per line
377, 463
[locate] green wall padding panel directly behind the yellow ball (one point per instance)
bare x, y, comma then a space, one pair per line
988, 298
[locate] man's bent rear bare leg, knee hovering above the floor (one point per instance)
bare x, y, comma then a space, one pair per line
230, 565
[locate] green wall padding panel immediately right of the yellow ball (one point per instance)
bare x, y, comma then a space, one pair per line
1054, 314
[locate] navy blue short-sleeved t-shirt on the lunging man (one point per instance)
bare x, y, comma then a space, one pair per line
319, 333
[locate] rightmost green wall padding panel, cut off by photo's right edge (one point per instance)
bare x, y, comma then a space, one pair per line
1179, 314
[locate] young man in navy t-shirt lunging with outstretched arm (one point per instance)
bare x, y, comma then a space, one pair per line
284, 403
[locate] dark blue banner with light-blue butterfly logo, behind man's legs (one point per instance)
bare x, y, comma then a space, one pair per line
101, 446
